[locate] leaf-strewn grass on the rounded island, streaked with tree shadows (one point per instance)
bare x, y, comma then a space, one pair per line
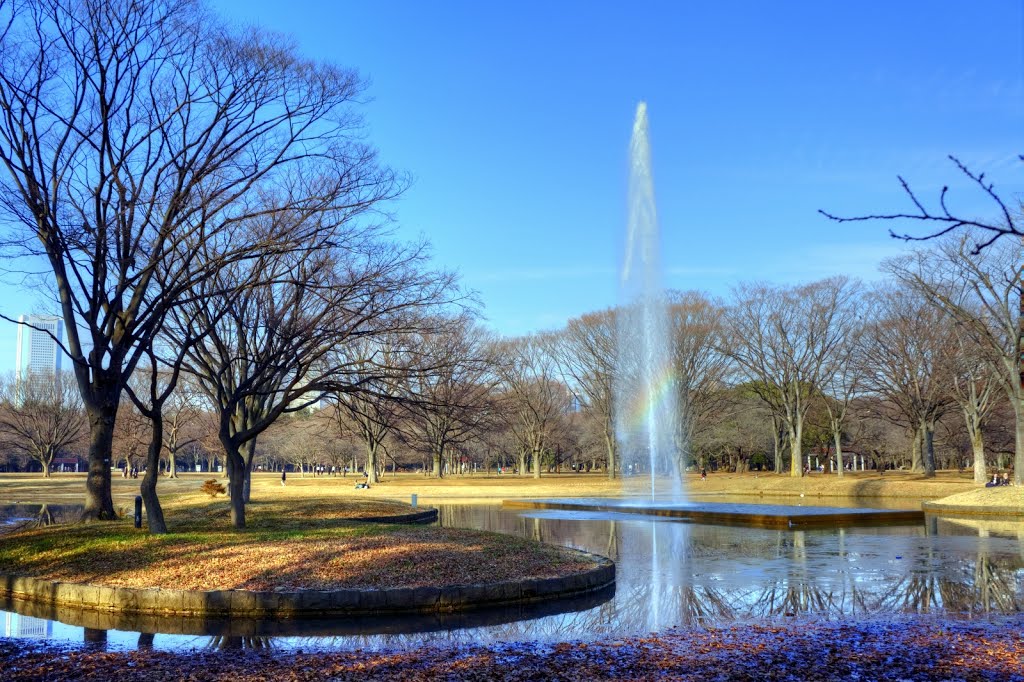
290, 545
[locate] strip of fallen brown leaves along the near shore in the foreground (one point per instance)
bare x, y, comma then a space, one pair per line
914, 649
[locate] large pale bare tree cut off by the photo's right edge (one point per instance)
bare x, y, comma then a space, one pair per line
984, 292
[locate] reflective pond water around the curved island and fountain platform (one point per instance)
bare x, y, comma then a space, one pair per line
671, 574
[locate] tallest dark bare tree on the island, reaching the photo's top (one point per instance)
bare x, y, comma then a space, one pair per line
132, 131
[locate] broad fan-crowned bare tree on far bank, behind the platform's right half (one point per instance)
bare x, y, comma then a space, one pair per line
785, 339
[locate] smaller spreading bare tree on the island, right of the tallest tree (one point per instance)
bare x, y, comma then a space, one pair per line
274, 350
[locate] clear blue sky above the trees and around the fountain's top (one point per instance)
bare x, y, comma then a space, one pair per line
515, 121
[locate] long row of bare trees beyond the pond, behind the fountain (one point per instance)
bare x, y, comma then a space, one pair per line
878, 371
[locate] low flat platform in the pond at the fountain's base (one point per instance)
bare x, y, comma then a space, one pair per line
764, 517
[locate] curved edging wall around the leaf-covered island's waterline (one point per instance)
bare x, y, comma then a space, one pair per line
245, 604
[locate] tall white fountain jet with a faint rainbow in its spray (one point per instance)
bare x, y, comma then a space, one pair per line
646, 395
